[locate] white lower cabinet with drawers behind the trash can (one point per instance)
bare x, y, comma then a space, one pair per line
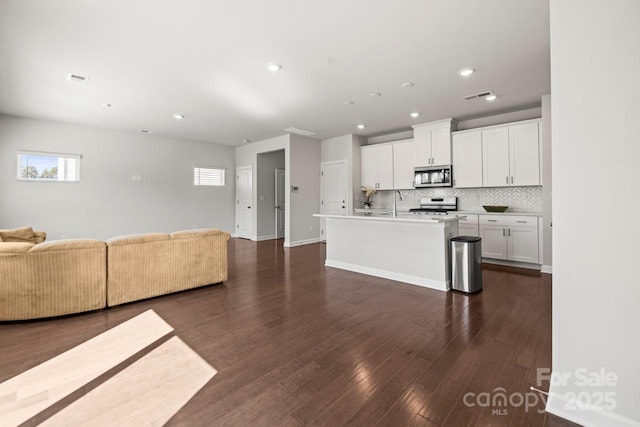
512, 238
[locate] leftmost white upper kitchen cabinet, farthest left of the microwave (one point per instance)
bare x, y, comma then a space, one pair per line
377, 166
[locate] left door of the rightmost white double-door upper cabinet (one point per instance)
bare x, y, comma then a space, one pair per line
495, 157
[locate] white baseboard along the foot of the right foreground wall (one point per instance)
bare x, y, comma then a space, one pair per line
586, 415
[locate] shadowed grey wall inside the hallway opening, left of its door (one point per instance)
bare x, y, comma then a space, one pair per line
266, 206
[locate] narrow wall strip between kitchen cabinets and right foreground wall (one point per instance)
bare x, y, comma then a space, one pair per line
547, 187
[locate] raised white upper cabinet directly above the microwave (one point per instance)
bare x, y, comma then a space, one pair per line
433, 142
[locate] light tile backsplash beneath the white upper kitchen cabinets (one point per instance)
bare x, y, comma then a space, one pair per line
519, 199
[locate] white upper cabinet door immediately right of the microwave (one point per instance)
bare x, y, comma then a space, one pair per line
467, 160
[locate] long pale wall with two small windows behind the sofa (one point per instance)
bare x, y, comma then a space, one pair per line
106, 202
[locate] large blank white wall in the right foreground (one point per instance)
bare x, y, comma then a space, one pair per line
595, 64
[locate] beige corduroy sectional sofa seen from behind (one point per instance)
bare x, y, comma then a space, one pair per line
71, 276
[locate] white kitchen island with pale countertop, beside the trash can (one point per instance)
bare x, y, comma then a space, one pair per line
408, 248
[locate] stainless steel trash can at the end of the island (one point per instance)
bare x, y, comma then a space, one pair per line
466, 264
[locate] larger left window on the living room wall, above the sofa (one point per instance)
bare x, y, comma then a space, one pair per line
51, 167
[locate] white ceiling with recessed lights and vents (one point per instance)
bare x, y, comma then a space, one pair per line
206, 59
